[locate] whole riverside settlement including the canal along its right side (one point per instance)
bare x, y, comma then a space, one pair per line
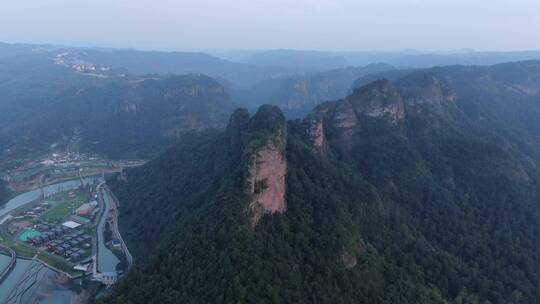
71, 228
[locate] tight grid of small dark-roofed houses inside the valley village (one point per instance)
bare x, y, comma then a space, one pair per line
62, 240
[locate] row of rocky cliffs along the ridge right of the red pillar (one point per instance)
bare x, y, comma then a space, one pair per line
379, 99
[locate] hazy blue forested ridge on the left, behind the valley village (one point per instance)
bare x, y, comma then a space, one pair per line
46, 104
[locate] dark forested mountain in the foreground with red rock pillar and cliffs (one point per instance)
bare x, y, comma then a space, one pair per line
424, 189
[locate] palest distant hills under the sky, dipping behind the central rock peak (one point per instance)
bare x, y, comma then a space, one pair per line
295, 80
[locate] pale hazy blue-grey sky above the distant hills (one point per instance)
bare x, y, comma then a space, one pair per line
263, 24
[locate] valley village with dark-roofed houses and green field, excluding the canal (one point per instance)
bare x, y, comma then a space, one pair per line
61, 230
